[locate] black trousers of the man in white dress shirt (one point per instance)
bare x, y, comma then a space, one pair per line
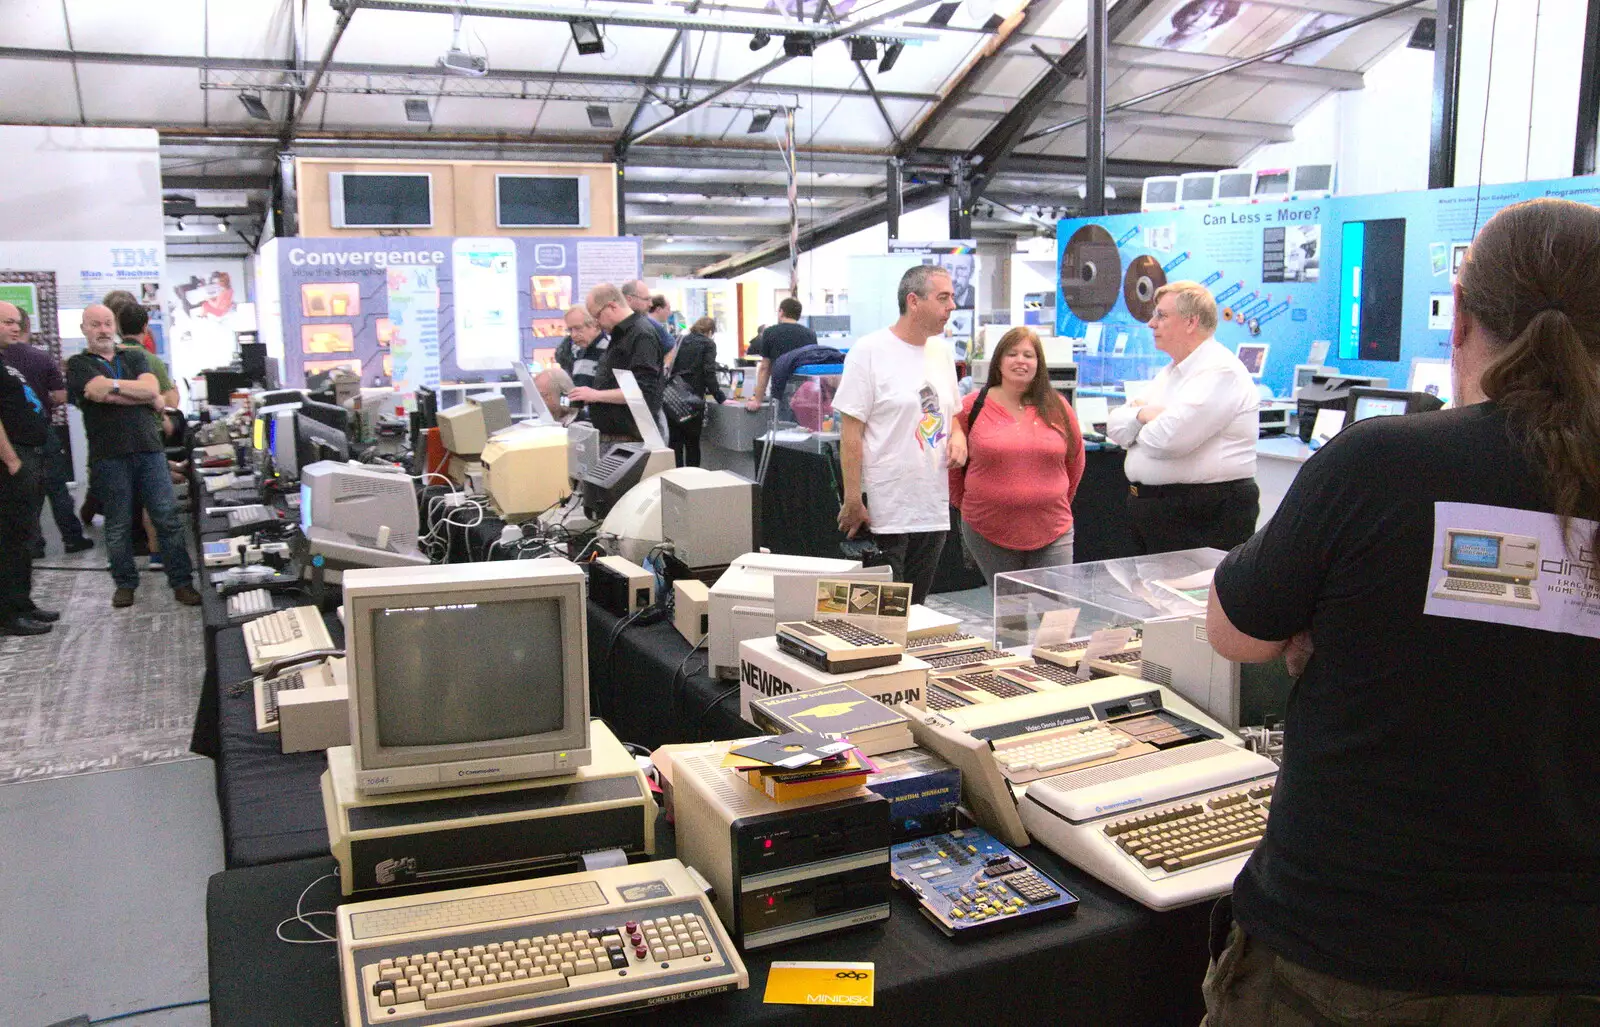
1170, 517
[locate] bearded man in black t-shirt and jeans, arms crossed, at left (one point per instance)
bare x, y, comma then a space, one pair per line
116, 391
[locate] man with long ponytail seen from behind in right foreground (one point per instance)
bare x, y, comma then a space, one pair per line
1433, 853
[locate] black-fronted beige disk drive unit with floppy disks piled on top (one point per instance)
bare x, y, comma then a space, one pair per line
783, 871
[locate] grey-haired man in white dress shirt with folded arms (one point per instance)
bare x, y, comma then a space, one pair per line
1193, 439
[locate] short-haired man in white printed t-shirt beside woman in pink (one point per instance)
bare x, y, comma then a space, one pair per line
898, 433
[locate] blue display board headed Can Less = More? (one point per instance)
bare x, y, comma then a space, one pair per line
1370, 276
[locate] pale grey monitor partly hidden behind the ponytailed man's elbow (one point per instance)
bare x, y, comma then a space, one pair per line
1175, 653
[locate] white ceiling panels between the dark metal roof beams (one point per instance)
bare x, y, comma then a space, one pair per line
180, 66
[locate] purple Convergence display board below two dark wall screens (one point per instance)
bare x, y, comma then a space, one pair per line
497, 302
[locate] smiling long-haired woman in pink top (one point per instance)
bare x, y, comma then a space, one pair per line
1023, 468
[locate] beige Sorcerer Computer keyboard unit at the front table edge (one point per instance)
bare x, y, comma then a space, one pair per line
535, 951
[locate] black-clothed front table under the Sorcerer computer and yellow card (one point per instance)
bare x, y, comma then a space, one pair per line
1113, 964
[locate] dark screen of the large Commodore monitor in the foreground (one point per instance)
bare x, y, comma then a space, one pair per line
468, 673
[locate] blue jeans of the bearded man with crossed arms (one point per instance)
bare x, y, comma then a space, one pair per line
118, 481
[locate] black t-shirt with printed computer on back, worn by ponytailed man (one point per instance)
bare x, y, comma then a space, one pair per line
1434, 826
